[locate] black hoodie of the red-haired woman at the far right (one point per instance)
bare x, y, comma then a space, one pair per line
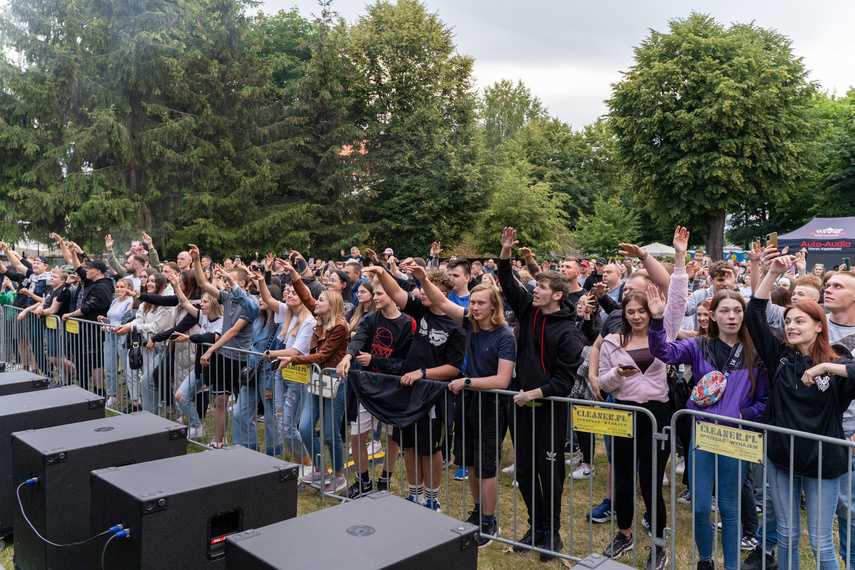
796, 406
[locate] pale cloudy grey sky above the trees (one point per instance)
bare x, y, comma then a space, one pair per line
570, 52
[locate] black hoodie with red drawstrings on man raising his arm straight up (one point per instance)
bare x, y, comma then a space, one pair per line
549, 349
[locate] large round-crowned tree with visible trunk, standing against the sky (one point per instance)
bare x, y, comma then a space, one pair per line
709, 117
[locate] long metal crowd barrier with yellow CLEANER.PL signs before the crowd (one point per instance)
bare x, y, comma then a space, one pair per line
86, 353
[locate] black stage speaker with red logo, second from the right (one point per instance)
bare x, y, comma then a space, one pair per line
180, 510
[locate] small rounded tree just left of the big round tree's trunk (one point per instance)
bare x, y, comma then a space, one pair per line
612, 222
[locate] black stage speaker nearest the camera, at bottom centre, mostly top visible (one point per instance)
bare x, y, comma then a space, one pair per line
378, 531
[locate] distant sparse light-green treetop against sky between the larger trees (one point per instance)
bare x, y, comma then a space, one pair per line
506, 107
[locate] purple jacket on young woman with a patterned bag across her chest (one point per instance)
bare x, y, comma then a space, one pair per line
737, 398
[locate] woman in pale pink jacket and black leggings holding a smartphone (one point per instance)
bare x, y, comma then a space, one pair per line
634, 376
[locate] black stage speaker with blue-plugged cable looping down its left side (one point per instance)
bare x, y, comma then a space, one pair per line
63, 458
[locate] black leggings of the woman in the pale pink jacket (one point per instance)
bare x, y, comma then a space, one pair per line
625, 470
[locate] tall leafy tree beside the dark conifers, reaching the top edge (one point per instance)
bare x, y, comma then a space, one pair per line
421, 135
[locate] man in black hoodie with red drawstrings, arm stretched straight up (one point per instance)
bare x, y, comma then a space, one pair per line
549, 350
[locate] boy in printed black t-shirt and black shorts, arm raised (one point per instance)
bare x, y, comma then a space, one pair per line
437, 353
